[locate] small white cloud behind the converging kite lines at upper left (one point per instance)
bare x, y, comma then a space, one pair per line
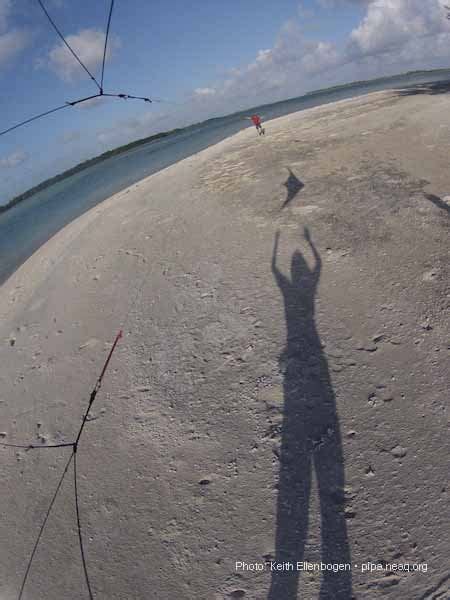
88, 44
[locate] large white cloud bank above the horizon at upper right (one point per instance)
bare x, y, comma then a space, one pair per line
393, 36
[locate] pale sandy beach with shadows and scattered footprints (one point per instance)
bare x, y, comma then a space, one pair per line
264, 404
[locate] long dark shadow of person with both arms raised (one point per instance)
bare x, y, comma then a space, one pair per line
310, 436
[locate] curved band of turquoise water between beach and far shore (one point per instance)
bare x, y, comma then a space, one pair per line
28, 225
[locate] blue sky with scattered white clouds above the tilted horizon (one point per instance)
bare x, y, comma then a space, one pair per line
199, 59
